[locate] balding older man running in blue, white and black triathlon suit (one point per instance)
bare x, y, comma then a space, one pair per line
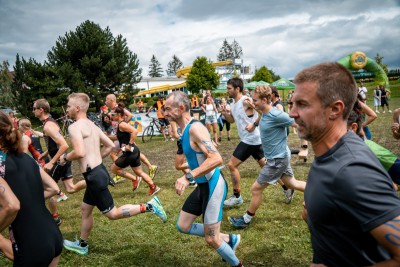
203, 159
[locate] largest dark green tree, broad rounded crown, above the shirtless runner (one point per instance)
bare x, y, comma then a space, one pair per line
93, 61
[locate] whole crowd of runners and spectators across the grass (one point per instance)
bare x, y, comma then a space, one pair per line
353, 219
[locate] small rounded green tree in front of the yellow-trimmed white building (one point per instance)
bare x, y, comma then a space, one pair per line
202, 76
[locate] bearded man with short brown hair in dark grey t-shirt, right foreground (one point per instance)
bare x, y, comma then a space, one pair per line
352, 210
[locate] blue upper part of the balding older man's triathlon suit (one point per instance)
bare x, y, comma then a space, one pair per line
196, 158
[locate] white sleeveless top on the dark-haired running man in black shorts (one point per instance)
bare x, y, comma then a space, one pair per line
242, 120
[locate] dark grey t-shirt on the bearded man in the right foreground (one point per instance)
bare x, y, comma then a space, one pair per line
348, 194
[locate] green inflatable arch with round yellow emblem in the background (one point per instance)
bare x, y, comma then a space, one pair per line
358, 60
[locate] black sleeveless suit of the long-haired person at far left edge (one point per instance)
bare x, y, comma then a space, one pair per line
34, 221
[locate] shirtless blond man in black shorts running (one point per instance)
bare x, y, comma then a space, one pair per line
86, 139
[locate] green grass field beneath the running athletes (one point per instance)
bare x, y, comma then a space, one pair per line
276, 237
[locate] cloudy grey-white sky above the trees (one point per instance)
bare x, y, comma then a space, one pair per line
283, 35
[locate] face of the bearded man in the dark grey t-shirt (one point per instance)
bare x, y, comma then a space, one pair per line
308, 112
